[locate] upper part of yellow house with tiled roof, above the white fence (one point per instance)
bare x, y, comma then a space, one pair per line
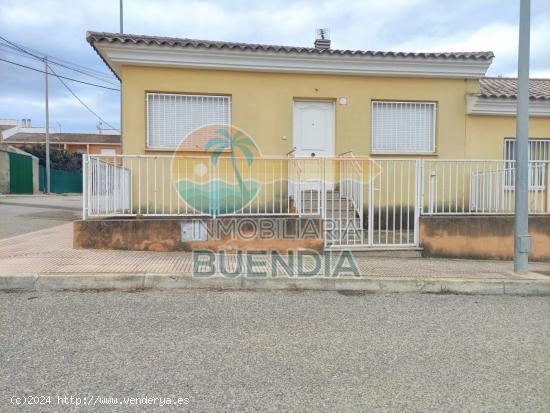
372, 103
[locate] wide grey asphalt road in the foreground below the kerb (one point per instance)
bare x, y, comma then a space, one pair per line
277, 351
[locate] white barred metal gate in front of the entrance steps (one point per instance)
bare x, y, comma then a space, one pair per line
376, 204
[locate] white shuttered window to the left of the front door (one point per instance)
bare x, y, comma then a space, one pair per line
171, 117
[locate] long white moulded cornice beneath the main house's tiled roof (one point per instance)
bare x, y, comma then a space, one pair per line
244, 60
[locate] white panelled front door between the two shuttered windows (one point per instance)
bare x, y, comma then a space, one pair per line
313, 128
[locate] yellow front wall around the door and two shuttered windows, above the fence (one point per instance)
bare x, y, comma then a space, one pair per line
262, 104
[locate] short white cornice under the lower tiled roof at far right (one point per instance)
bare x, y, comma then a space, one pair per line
476, 105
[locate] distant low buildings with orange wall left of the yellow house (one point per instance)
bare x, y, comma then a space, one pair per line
21, 134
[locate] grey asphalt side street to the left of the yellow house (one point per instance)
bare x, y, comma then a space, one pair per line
20, 214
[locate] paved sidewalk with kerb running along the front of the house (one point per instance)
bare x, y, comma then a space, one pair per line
48, 255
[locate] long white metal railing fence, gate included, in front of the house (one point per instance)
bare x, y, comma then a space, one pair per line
363, 201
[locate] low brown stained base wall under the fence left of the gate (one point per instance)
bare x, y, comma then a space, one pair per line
165, 234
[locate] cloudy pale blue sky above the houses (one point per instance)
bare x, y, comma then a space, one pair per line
58, 28
